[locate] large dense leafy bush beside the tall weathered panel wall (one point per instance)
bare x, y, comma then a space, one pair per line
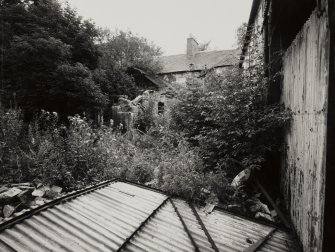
230, 120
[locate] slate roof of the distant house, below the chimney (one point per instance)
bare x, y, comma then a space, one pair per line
200, 61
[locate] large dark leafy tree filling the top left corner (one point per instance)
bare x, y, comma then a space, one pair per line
49, 53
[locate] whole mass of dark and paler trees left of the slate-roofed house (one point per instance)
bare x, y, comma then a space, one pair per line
55, 60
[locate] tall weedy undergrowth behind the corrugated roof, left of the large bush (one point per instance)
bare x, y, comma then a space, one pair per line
78, 155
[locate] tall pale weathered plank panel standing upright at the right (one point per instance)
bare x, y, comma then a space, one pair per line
305, 92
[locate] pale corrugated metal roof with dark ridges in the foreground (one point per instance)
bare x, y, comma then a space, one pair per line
117, 216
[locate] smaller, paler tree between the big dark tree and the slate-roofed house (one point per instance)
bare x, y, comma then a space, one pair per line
119, 52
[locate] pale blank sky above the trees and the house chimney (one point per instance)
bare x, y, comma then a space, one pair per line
168, 23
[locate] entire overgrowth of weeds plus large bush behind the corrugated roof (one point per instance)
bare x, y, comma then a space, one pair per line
217, 130
